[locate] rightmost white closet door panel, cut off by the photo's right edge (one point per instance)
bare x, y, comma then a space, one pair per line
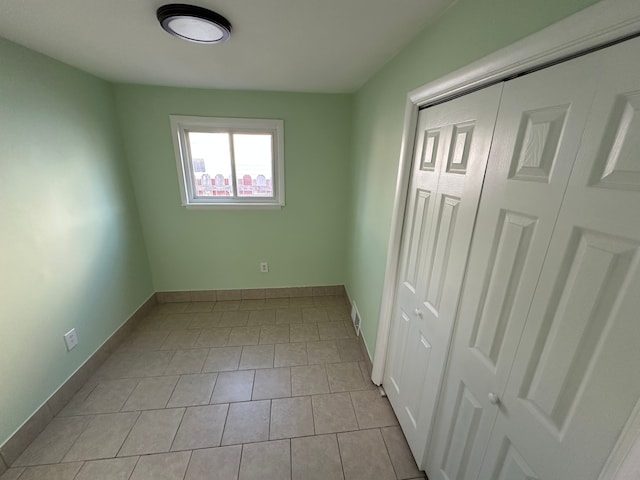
575, 379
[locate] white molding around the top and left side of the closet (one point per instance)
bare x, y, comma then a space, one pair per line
603, 23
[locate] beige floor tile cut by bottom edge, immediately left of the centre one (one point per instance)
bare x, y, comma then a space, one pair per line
266, 461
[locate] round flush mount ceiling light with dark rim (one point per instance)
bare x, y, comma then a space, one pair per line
195, 24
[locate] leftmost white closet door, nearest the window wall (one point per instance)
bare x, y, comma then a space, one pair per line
452, 145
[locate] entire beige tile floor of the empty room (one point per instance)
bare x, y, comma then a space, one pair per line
268, 389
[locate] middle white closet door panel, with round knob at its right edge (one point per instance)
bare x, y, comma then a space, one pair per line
537, 136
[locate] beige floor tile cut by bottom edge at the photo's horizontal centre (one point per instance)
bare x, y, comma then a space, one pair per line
316, 458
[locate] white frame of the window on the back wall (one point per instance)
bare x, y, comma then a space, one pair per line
181, 124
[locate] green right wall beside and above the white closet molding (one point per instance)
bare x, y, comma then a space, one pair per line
468, 31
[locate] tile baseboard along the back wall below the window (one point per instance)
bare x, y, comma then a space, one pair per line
249, 294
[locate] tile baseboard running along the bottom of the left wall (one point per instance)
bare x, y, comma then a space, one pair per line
34, 425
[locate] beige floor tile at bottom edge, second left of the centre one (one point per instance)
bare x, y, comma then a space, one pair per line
221, 463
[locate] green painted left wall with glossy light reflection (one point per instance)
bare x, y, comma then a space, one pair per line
71, 248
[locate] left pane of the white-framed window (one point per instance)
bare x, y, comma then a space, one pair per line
211, 162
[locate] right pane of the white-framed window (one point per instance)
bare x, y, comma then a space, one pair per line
254, 164
